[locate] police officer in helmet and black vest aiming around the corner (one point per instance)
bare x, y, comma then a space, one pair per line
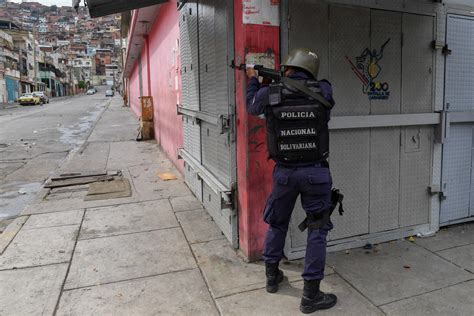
298, 141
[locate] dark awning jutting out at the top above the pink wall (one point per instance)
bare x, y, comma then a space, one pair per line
99, 8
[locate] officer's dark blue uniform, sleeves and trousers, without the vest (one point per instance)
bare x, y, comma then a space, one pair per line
312, 181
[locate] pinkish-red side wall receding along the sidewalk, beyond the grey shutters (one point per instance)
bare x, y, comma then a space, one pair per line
160, 71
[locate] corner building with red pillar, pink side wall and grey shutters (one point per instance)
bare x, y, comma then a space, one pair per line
385, 148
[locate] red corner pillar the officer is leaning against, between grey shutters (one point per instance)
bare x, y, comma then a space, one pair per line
254, 170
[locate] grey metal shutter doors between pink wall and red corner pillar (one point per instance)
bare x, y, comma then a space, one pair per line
208, 110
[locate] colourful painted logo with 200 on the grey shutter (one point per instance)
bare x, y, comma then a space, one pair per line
367, 69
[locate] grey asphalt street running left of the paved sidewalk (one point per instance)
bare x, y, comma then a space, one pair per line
35, 140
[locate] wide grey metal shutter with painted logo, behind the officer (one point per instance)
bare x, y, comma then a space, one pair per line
384, 172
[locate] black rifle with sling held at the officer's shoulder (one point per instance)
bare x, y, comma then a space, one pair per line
276, 76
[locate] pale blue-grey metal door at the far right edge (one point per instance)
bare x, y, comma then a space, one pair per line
457, 187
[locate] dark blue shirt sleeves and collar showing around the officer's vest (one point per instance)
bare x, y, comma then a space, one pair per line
257, 95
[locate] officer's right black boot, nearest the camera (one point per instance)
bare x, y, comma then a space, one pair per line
313, 299
